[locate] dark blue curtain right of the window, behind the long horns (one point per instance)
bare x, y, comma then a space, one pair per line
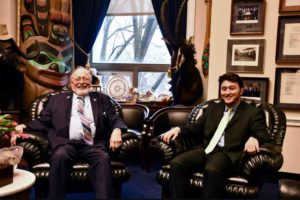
172, 9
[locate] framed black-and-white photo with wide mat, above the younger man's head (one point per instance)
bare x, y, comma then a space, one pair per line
245, 56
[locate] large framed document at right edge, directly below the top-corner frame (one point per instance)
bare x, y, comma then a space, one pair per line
288, 39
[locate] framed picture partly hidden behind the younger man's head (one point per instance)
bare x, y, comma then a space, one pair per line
256, 88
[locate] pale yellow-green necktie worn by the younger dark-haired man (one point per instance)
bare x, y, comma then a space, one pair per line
218, 134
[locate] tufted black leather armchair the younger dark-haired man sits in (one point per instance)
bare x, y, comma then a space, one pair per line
247, 181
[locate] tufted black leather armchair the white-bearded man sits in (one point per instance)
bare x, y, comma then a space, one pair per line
36, 155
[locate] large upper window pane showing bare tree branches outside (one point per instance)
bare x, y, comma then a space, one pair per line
130, 39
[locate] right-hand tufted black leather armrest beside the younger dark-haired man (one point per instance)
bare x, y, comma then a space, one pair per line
269, 159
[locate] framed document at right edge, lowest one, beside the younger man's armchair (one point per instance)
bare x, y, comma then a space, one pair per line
286, 93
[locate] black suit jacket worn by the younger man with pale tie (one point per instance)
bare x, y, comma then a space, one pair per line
247, 121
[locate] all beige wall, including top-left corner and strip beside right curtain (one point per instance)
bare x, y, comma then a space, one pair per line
219, 36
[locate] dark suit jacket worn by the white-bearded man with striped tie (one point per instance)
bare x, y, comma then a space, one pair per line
54, 119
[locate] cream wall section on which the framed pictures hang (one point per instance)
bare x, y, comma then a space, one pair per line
220, 33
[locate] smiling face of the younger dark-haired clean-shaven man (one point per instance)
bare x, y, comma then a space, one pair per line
230, 92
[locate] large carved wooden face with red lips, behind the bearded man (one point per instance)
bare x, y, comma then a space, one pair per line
52, 66
